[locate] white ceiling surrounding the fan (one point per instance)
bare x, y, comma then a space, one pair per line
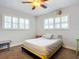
26, 8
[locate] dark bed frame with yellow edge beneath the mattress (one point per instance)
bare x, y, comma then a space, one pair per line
54, 50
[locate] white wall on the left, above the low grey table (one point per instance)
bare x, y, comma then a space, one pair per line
16, 36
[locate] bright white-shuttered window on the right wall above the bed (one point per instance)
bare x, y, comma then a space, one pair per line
56, 23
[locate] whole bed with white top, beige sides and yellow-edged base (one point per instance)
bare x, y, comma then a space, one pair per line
42, 47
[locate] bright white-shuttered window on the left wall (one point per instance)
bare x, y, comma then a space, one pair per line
15, 23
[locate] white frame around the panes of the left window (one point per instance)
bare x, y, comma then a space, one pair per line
3, 23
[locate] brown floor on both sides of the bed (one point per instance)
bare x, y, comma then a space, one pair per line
16, 53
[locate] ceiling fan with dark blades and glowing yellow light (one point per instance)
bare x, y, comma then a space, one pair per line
37, 3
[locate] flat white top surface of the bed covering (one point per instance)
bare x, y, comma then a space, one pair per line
42, 42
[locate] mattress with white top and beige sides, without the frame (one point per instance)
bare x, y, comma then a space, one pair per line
42, 46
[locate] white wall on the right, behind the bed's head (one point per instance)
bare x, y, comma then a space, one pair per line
70, 35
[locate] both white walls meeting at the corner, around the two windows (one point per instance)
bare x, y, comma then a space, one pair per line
17, 37
